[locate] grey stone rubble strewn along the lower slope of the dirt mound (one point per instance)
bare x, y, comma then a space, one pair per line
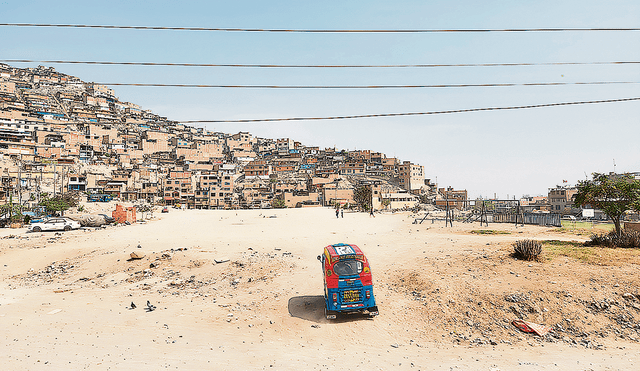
477, 317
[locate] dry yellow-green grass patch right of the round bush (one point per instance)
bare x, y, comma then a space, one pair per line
553, 249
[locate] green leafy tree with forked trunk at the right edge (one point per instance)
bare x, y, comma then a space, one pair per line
613, 194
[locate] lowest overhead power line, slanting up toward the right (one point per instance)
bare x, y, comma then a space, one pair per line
415, 113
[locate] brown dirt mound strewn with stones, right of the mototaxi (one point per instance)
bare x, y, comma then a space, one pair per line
474, 299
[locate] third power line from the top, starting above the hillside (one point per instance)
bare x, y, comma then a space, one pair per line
366, 86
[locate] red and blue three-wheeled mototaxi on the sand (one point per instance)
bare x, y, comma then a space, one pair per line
348, 287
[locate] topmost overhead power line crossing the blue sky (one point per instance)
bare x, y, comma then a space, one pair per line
461, 30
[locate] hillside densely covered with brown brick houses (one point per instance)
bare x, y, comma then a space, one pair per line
60, 134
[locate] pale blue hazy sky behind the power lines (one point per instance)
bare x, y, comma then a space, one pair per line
490, 154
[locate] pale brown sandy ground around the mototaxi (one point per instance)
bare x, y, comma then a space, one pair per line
446, 297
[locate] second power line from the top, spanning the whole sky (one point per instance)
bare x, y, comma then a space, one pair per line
432, 65
